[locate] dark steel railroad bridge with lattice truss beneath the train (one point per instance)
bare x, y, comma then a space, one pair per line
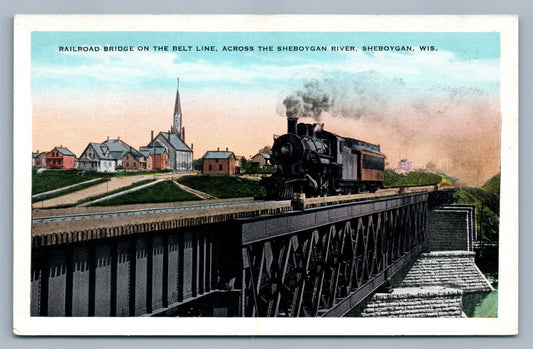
308, 257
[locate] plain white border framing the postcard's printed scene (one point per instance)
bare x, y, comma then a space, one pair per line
505, 324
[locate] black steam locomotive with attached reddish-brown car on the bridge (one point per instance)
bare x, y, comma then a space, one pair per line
313, 161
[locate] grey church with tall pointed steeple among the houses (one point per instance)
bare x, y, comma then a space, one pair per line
173, 141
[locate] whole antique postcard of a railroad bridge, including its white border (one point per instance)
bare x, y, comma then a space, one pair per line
265, 175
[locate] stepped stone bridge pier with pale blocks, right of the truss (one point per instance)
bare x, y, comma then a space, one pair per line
433, 285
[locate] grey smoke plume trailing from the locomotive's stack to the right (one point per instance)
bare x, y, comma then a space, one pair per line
458, 129
